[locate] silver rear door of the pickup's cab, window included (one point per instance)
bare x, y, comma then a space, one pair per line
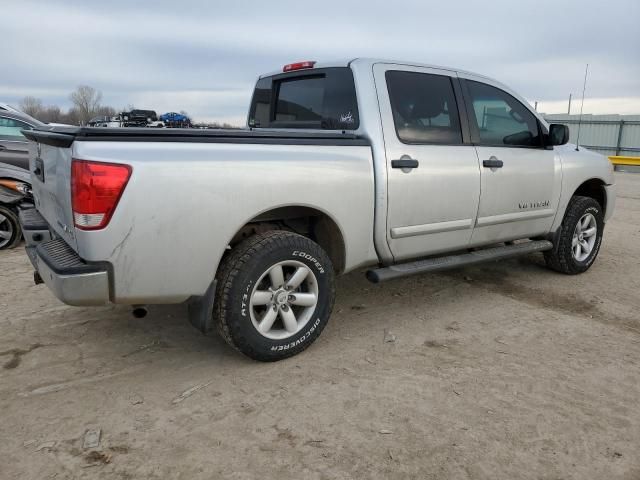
433, 175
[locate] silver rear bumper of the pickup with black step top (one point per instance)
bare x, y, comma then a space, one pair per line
69, 277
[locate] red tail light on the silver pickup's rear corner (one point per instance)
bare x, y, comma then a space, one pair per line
96, 188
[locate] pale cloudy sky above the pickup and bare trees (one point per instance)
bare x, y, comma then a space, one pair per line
204, 56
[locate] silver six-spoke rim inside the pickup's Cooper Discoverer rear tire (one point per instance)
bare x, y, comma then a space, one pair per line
283, 300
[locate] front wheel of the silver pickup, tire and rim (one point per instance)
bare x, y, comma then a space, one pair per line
579, 239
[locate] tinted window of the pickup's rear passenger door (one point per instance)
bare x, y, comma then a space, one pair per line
424, 108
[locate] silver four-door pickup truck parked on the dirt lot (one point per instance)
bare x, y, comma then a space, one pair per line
399, 167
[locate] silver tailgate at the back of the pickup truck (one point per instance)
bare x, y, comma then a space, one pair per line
51, 178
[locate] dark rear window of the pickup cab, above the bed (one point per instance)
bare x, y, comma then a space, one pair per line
317, 99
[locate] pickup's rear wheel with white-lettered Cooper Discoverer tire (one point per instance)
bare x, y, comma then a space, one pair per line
275, 295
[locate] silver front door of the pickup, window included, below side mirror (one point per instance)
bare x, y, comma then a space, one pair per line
520, 178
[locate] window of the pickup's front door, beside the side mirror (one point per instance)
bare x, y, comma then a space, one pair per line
501, 119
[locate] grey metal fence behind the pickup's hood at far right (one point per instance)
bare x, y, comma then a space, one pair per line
606, 134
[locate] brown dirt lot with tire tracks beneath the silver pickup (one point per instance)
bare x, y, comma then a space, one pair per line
502, 371
